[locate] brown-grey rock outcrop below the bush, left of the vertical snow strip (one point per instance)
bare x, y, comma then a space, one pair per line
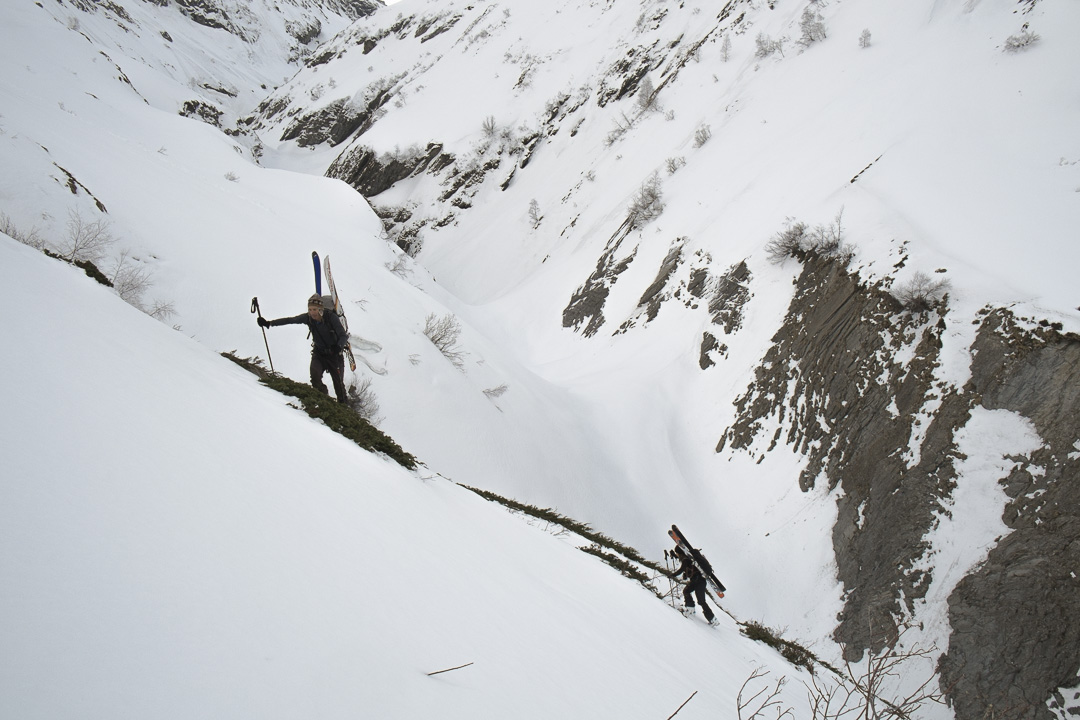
832, 378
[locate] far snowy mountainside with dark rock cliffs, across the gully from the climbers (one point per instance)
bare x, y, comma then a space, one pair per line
637, 185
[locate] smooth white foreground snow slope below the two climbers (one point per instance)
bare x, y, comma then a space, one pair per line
179, 541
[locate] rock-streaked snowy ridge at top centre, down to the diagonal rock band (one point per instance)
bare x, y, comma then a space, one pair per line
316, 110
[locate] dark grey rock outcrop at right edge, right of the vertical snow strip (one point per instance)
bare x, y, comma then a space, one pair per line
1016, 639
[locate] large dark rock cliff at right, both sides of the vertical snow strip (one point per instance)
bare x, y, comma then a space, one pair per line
850, 377
